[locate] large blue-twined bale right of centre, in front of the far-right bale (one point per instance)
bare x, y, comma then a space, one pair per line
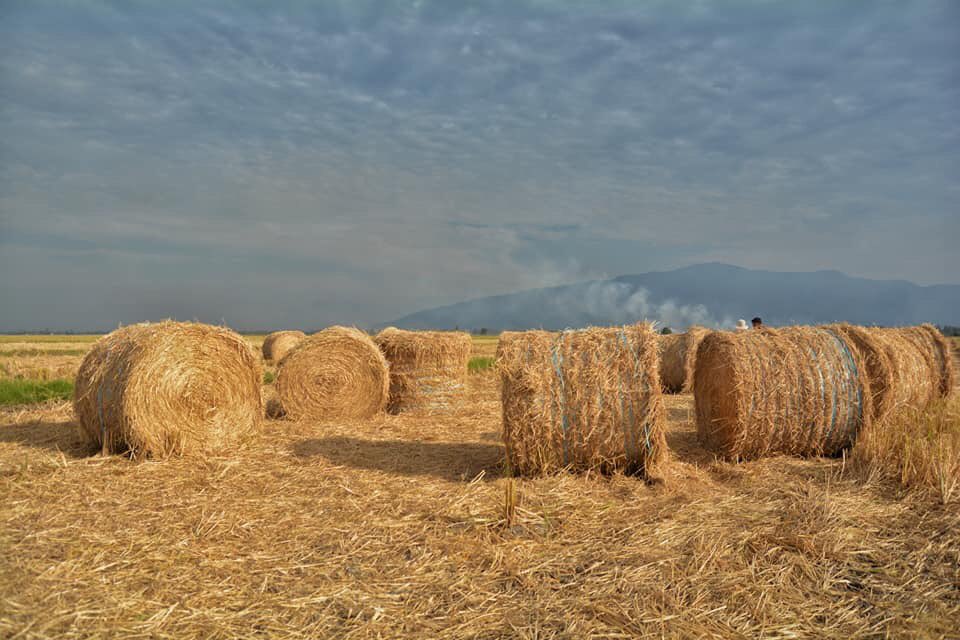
801, 391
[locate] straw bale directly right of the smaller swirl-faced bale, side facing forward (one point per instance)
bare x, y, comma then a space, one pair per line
428, 369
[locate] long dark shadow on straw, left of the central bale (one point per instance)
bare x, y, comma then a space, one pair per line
446, 460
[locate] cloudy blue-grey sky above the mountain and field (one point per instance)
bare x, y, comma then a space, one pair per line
294, 164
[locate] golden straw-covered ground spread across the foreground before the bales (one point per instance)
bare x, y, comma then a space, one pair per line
400, 527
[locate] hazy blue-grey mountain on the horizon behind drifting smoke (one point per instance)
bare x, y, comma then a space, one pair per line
709, 294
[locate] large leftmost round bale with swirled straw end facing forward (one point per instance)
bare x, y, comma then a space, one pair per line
169, 388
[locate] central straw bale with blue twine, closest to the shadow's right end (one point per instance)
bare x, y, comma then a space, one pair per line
582, 400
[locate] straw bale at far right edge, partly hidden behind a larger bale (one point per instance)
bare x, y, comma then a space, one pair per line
908, 368
